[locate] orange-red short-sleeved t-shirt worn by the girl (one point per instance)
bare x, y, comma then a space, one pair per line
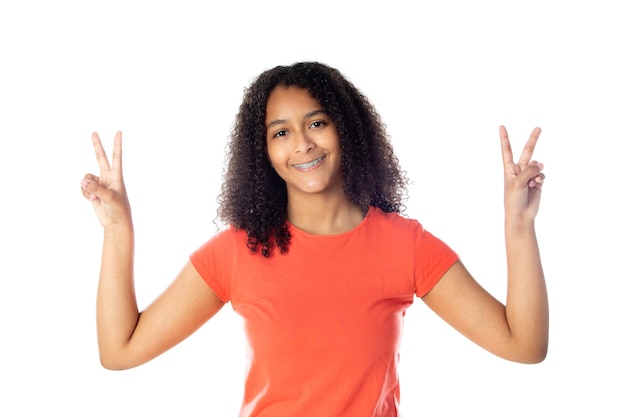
324, 320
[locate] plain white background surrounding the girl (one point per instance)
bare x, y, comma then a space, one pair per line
443, 75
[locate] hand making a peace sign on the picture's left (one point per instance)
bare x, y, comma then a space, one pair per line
107, 192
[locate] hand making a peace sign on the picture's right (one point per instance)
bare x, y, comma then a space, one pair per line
522, 180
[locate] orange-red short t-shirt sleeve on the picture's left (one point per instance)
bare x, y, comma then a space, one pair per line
214, 262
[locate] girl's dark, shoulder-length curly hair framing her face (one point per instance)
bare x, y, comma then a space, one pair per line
254, 198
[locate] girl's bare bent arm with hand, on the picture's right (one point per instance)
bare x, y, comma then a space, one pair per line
517, 331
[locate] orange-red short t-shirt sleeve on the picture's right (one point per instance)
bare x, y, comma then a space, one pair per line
433, 259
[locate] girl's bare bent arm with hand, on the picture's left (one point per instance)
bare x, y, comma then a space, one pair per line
127, 338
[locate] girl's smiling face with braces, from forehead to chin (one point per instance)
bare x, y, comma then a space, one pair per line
302, 143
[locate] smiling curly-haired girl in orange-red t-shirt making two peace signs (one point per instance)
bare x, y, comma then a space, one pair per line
318, 258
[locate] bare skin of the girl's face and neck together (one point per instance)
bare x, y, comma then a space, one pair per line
299, 132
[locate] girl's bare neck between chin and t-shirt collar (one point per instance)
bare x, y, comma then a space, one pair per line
323, 215
